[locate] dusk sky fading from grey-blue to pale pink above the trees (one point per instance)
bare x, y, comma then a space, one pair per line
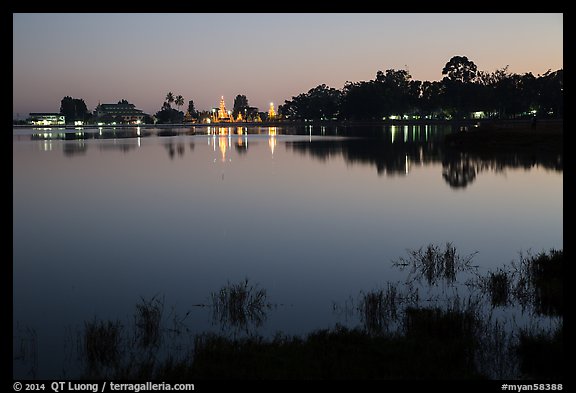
267, 57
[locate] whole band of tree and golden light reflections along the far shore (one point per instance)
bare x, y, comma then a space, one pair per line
392, 149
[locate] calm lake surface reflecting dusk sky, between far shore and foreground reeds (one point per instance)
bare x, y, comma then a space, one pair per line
103, 218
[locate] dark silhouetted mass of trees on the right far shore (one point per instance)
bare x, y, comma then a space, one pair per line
463, 90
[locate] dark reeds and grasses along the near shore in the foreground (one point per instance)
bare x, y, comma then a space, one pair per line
434, 325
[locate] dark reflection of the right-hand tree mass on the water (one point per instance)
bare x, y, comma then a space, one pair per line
403, 148
